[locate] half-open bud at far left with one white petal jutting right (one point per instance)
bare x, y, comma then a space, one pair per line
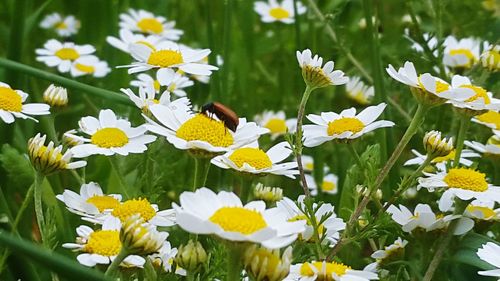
49, 159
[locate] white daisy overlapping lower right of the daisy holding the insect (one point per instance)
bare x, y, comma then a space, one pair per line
251, 159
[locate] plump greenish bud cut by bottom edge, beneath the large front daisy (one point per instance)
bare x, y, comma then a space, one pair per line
264, 264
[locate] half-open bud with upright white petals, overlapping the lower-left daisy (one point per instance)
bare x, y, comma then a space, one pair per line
141, 238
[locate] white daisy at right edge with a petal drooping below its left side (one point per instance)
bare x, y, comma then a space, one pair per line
464, 183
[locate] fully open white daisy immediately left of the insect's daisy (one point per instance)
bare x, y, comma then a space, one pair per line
110, 135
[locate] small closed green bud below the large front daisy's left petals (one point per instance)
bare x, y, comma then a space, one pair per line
191, 256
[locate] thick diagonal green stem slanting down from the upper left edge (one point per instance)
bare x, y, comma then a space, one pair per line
65, 82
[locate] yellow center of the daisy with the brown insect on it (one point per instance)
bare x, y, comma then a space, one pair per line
204, 128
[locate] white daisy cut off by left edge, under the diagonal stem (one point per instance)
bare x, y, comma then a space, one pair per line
11, 105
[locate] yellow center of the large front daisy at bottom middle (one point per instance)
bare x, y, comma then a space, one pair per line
238, 219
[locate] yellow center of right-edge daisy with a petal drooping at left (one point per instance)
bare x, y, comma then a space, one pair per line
465, 178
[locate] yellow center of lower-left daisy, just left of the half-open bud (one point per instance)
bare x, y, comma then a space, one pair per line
104, 242
